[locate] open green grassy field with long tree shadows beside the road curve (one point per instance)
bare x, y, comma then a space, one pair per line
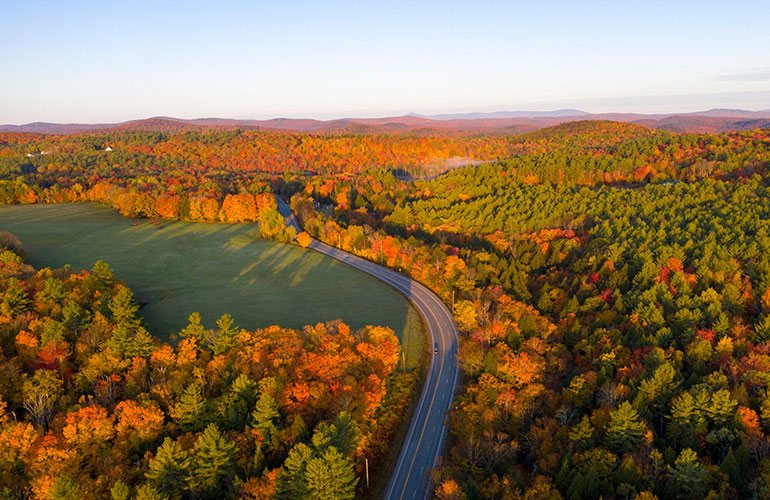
213, 269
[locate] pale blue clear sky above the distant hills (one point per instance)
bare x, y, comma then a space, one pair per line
73, 61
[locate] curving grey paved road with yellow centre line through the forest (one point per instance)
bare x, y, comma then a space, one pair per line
427, 434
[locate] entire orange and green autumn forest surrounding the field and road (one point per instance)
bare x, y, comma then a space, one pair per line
612, 286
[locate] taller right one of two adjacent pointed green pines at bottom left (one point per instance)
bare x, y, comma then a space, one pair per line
212, 463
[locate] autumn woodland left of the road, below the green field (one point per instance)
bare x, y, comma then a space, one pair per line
92, 406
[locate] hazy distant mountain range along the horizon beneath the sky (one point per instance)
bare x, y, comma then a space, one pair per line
510, 122
